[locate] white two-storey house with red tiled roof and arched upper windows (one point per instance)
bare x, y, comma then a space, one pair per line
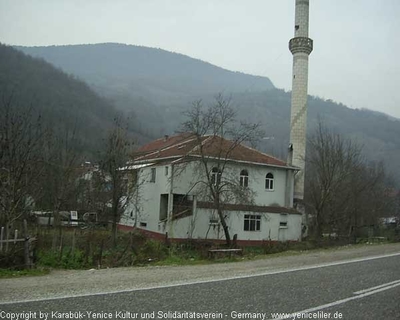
171, 199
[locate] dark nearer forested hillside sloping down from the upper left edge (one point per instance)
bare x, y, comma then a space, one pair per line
62, 101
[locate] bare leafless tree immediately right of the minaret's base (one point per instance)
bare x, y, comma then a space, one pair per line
341, 187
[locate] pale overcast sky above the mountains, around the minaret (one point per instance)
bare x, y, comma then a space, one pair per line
356, 42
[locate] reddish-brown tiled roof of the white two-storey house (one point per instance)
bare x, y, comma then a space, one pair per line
213, 146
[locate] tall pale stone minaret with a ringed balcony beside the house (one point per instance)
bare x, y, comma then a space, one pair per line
300, 46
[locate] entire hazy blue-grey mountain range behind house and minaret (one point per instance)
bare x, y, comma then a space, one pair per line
157, 87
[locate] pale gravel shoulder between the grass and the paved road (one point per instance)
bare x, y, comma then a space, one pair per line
64, 283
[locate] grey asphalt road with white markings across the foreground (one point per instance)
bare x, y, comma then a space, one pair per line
368, 288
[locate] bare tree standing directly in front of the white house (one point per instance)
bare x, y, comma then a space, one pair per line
212, 126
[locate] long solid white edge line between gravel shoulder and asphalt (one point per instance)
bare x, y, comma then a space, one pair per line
311, 267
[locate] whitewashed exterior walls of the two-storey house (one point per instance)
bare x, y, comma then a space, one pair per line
184, 179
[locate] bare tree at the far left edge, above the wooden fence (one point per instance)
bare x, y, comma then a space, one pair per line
21, 138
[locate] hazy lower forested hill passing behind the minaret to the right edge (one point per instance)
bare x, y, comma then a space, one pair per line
378, 133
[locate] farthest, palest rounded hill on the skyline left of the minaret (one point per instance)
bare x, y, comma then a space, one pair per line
149, 72
